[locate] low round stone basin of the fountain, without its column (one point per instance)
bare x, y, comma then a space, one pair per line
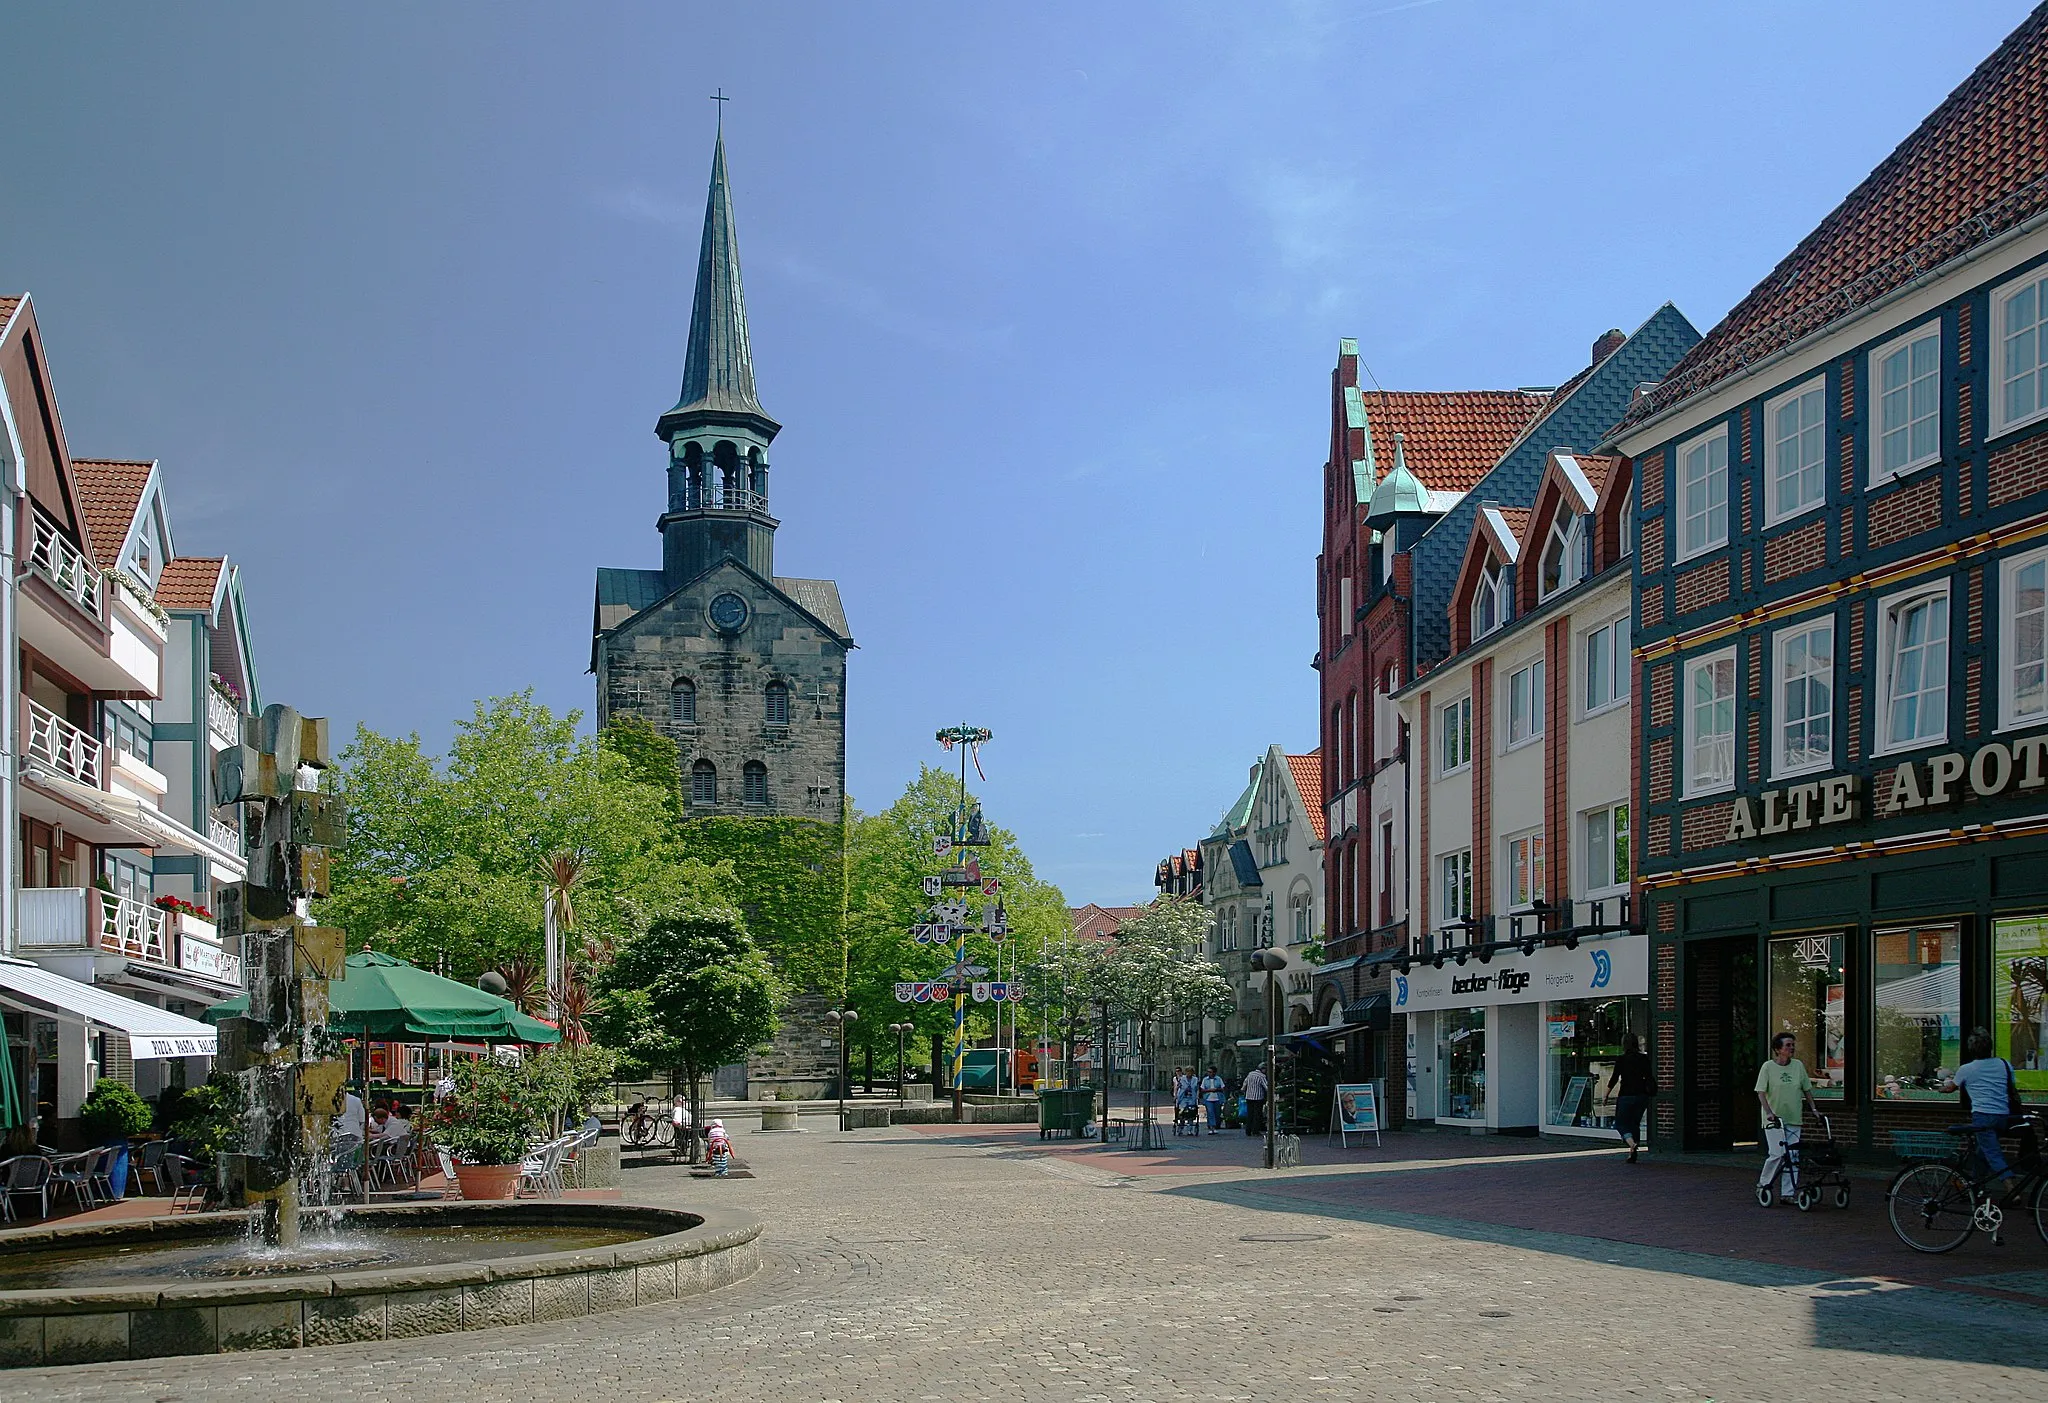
138, 1314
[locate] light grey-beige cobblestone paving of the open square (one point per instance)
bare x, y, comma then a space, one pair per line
966, 1267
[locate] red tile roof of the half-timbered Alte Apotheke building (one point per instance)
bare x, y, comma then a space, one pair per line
1973, 171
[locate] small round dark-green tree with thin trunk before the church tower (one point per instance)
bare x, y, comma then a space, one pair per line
689, 992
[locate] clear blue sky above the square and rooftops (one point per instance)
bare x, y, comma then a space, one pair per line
1046, 298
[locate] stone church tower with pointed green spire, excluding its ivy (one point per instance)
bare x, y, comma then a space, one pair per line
742, 669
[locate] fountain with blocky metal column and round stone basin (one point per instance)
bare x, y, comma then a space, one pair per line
282, 1267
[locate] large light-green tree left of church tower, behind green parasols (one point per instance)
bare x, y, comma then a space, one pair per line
447, 855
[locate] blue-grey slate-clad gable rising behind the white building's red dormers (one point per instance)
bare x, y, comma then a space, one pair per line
1580, 415
